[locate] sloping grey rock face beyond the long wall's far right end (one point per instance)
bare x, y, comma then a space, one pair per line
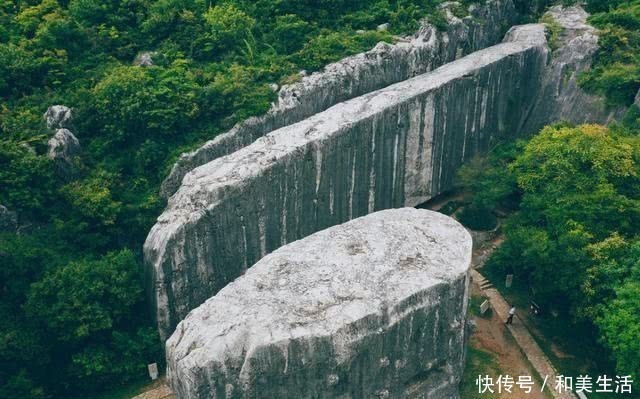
561, 98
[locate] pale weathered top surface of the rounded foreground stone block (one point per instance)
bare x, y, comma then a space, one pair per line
383, 264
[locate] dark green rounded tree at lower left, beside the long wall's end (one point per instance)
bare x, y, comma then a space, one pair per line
88, 307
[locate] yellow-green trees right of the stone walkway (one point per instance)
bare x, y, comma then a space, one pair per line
574, 234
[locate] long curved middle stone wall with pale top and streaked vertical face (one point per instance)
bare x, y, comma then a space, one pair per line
394, 147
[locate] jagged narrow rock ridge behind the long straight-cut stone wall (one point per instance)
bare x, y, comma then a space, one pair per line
354, 76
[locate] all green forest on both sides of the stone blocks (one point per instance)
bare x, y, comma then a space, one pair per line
73, 317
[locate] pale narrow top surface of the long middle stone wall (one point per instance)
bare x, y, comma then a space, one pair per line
204, 186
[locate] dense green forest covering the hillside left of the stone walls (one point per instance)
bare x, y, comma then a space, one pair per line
72, 315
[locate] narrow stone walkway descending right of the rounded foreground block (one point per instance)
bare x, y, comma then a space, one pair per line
529, 347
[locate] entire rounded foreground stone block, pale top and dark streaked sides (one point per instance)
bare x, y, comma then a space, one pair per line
373, 308
